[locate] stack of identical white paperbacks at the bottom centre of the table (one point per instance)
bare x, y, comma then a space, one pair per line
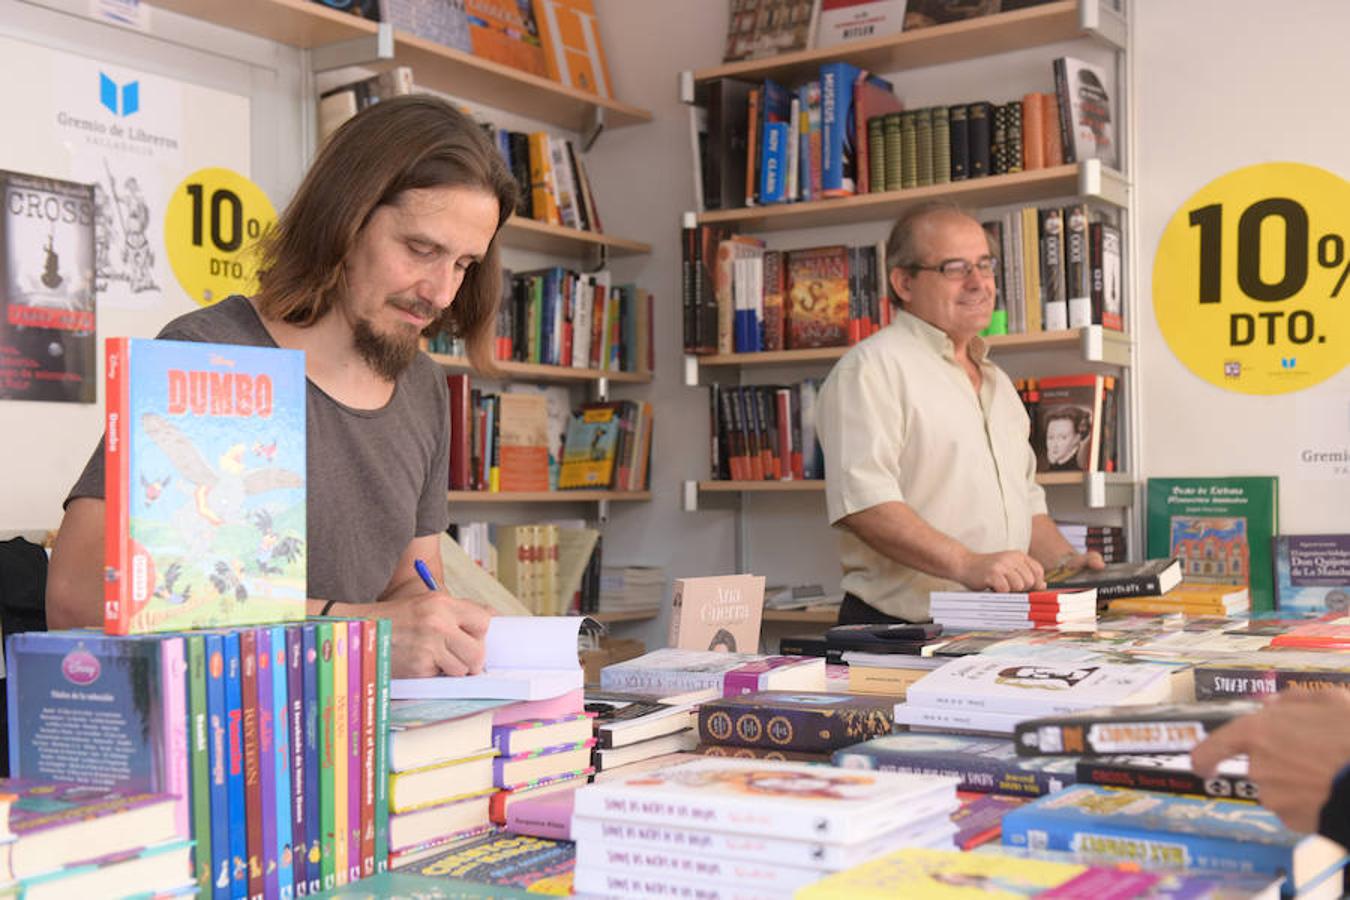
749, 826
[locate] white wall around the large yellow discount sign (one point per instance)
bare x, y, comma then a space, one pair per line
1220, 86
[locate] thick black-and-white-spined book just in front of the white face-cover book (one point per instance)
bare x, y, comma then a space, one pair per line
1168, 728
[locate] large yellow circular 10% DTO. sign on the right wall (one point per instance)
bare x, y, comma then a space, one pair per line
1252, 279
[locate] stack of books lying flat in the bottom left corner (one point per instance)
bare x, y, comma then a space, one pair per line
65, 840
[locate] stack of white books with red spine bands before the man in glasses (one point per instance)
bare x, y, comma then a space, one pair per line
992, 612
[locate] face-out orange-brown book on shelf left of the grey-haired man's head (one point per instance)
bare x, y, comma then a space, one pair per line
817, 298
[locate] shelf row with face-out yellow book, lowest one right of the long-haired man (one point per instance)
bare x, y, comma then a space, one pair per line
529, 441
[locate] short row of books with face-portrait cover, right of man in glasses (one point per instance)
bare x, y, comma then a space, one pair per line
1075, 422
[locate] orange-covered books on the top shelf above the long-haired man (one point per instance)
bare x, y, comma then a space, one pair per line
556, 40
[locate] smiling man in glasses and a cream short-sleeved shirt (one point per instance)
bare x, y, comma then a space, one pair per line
929, 473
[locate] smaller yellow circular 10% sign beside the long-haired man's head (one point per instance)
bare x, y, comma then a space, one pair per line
213, 226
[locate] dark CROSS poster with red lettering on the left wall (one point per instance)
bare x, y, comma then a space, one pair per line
48, 339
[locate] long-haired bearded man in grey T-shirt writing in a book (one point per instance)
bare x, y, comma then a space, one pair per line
391, 237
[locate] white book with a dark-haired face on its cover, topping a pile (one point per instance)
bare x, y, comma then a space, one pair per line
1035, 687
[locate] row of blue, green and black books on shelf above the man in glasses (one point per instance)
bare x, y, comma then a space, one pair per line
847, 133
